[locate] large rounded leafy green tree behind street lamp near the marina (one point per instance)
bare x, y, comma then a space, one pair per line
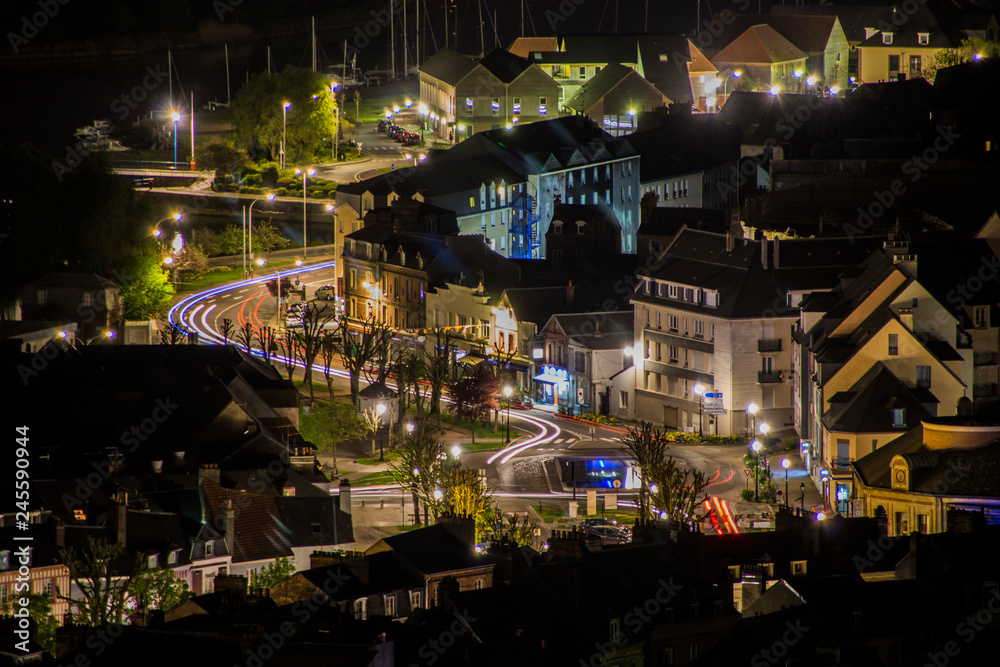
259, 118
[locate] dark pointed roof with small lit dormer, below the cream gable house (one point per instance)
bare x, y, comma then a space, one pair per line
867, 406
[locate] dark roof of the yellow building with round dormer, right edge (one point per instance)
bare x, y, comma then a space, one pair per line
978, 470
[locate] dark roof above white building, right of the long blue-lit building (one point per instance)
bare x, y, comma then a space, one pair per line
685, 143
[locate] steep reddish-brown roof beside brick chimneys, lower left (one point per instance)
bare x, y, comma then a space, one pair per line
260, 534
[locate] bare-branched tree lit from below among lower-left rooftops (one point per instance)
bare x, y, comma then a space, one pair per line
104, 581
